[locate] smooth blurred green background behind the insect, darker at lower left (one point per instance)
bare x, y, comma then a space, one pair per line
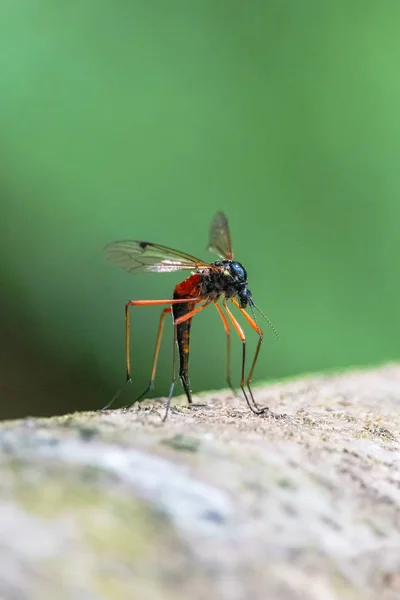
137, 119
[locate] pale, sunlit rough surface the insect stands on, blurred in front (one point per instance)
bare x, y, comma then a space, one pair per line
217, 503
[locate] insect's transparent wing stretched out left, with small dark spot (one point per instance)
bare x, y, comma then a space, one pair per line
138, 257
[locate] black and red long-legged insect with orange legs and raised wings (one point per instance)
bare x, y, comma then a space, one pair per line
214, 283
